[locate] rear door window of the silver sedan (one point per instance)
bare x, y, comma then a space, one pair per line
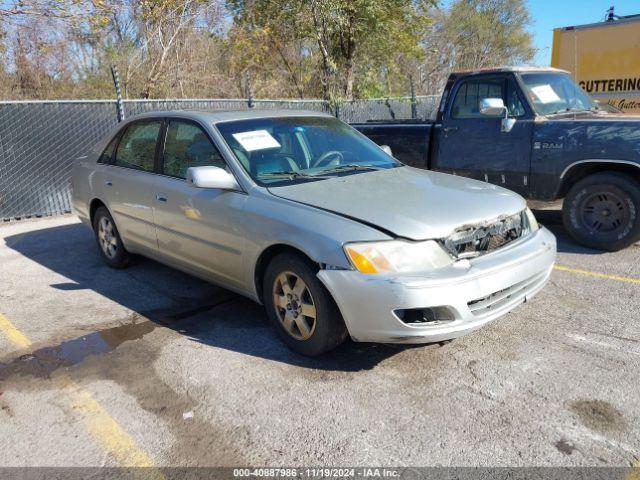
137, 148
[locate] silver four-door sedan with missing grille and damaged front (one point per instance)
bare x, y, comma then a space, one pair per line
300, 212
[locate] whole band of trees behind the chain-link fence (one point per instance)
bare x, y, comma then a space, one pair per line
334, 49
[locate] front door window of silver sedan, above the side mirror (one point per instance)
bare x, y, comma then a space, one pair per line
187, 145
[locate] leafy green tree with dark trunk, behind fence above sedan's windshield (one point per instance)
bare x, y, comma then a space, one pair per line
352, 40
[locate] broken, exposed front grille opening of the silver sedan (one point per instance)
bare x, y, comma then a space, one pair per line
475, 240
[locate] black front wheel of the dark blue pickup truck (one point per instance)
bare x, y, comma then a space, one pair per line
602, 211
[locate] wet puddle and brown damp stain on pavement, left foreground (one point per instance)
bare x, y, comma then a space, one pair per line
195, 440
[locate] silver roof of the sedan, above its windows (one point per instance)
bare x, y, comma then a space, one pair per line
217, 116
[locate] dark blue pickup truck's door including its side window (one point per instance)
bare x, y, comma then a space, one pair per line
471, 141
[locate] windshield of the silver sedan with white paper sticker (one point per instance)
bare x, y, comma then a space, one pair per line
297, 149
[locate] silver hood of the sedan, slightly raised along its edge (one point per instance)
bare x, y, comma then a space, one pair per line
406, 201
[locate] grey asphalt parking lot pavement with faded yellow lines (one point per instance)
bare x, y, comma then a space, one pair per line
150, 367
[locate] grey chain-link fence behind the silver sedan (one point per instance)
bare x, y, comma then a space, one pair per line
40, 140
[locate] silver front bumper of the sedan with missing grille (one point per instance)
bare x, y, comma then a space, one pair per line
475, 292
